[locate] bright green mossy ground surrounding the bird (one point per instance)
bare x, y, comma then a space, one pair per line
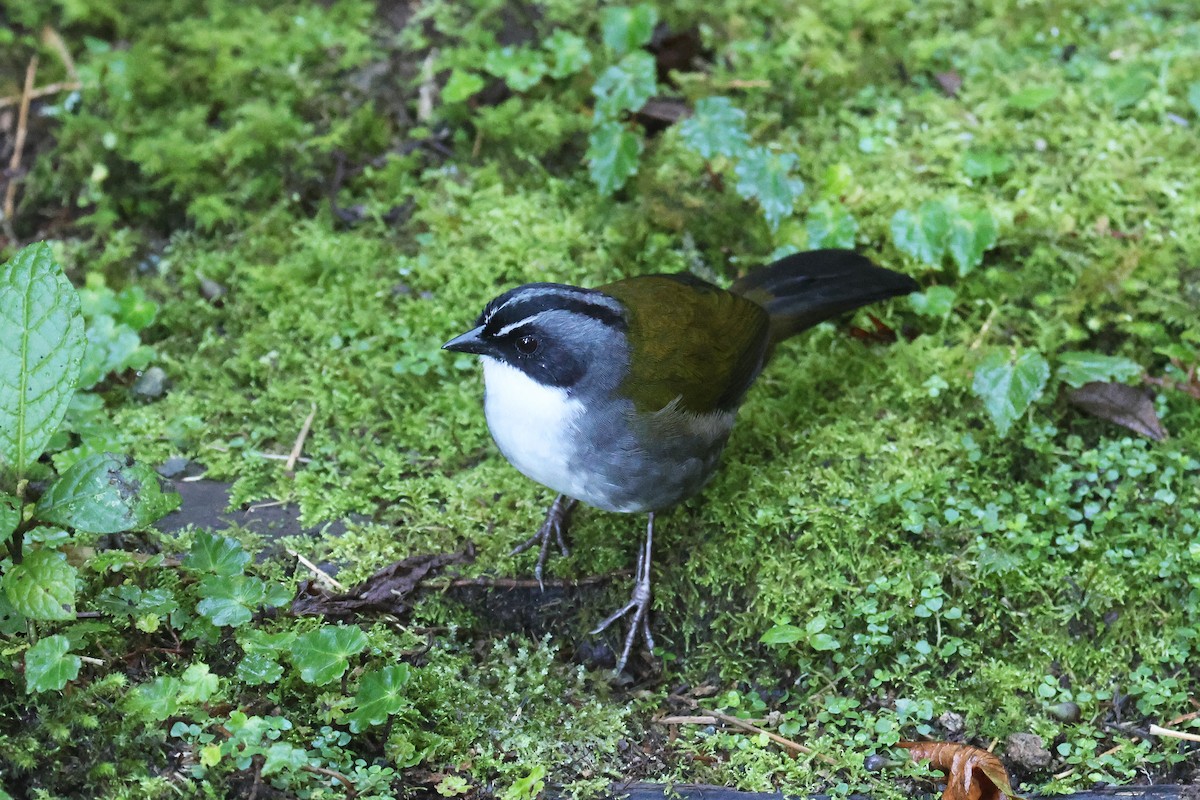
866, 495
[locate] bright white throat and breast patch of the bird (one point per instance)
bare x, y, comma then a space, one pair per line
533, 425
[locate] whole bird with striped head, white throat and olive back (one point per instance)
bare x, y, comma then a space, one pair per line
623, 396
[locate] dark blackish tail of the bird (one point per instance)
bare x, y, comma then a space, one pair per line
803, 290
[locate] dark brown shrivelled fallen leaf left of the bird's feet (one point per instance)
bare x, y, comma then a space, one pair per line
385, 593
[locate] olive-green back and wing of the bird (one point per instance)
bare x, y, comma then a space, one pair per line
691, 341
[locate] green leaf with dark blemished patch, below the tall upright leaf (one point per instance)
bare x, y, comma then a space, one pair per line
106, 494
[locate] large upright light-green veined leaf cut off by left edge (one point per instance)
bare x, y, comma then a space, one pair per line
41, 352
